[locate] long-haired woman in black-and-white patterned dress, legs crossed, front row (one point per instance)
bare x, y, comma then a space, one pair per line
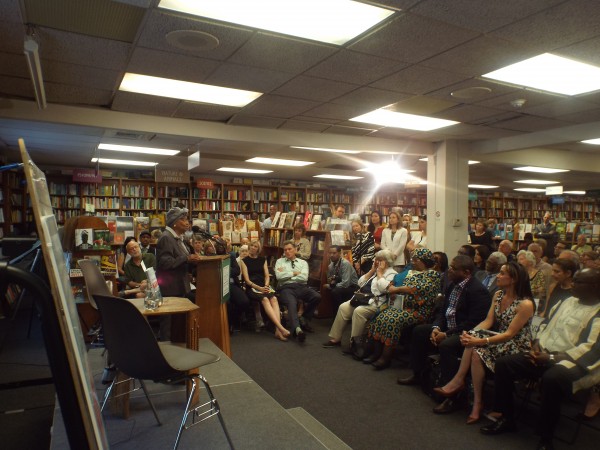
509, 316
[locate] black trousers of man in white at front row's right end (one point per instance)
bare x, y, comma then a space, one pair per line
557, 385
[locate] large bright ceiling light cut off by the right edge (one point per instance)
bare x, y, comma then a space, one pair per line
551, 73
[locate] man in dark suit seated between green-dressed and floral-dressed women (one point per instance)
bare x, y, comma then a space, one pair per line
466, 304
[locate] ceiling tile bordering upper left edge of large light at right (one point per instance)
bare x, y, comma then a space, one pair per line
479, 56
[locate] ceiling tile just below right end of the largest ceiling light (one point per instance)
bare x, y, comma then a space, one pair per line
354, 67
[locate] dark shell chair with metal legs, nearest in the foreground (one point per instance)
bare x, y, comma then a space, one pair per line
136, 352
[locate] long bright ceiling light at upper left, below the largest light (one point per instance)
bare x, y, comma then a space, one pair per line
185, 90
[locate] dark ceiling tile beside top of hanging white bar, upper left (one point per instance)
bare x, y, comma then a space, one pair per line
83, 50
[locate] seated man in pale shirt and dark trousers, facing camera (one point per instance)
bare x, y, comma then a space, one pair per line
292, 274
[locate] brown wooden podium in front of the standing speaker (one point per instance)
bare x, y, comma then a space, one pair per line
213, 320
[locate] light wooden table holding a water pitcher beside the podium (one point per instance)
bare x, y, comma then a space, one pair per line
171, 305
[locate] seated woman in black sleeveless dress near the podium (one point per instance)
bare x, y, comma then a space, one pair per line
255, 273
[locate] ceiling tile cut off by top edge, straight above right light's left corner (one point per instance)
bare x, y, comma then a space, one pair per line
481, 16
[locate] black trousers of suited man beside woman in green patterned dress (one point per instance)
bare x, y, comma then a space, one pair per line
450, 350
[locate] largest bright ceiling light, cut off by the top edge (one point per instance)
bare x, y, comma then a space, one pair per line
332, 21
